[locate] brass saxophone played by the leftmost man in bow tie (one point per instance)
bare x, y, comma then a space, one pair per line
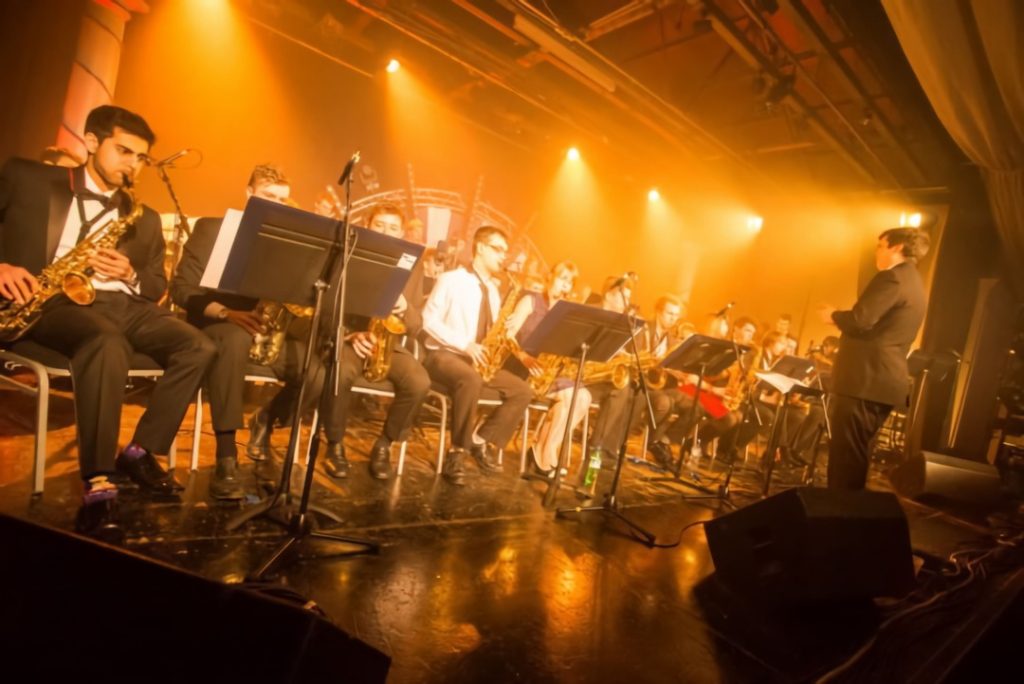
70, 275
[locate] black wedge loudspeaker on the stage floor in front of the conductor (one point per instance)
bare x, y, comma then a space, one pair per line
810, 544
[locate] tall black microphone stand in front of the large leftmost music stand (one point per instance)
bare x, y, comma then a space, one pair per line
301, 524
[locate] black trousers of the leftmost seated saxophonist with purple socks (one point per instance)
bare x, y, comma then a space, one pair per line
100, 340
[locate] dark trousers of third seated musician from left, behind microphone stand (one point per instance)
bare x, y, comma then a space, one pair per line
411, 386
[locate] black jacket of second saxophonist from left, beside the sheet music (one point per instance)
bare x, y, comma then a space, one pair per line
186, 289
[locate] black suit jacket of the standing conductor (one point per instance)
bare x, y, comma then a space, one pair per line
877, 336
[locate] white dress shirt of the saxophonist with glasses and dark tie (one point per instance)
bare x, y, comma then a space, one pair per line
453, 311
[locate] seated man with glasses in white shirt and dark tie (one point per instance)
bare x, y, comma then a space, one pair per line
464, 305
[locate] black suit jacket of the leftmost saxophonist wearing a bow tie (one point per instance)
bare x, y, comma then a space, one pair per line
35, 200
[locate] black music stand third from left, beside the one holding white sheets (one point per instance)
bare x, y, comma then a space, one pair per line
701, 356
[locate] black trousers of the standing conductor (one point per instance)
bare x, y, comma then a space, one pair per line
855, 424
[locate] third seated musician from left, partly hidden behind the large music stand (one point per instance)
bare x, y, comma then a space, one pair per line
406, 374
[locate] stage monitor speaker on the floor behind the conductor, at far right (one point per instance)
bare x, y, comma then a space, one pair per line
928, 475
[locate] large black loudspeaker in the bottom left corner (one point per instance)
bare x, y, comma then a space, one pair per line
78, 611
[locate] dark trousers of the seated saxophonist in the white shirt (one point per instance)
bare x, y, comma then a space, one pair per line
455, 373
